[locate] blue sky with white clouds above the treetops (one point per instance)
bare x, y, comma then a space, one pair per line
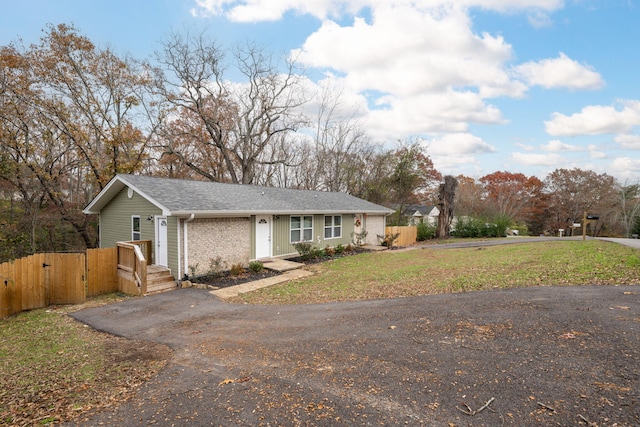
524, 86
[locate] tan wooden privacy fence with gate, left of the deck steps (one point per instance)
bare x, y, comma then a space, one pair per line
43, 279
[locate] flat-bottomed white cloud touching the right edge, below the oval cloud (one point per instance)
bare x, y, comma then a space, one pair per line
596, 120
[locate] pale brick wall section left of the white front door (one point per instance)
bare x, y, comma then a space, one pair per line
227, 238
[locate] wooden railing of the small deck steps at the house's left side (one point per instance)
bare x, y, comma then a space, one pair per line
132, 262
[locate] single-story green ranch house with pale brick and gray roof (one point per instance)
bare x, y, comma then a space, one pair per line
194, 223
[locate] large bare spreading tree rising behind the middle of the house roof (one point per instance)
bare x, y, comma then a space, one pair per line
231, 128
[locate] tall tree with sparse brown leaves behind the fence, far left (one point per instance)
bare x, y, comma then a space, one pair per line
68, 123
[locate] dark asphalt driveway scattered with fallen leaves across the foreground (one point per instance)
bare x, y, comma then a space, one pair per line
534, 356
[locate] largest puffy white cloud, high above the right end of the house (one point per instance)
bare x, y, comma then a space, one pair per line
439, 52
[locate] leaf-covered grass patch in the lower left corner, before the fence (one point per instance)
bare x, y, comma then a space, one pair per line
54, 369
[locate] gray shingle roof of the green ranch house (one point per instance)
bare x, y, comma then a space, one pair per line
181, 197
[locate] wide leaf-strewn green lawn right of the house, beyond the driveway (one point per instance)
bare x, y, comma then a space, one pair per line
426, 271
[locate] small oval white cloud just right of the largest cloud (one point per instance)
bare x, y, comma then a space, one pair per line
559, 72
